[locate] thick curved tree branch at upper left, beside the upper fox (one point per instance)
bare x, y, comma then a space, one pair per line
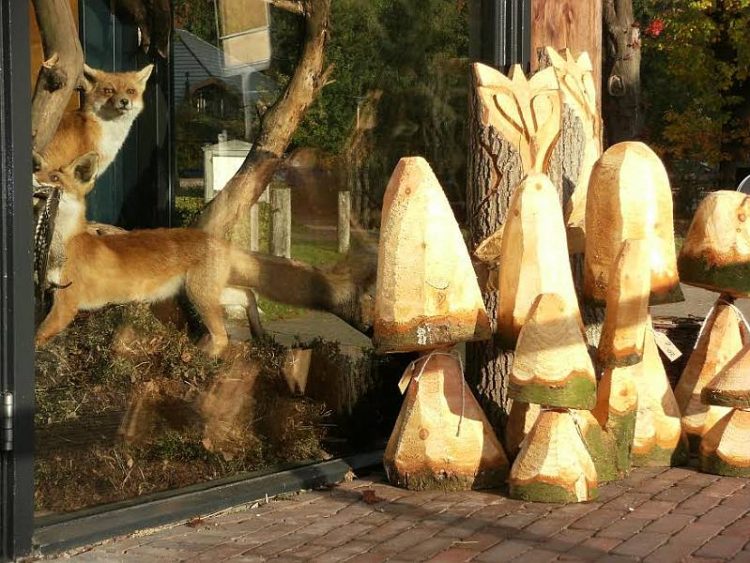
61, 71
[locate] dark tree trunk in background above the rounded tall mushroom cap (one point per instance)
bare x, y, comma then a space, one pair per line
621, 82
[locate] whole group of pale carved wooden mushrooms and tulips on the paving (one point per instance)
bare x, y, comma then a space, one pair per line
568, 430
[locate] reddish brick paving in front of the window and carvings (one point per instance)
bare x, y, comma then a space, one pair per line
688, 516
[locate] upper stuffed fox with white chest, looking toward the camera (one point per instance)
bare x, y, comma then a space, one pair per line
112, 101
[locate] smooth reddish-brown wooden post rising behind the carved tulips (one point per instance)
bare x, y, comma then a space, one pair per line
568, 24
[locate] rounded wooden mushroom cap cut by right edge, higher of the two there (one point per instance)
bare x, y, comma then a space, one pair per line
716, 251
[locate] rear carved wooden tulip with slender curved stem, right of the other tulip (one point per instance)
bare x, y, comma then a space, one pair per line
579, 91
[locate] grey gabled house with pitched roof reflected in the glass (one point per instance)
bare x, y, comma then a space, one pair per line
203, 75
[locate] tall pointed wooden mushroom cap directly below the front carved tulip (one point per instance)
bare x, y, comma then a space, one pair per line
534, 257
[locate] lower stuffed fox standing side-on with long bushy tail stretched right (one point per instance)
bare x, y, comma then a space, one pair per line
152, 265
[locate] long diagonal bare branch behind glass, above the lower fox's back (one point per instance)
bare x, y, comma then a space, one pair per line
278, 125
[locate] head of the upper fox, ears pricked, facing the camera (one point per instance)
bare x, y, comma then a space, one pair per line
112, 95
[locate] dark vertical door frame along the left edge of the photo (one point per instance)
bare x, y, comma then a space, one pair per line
16, 287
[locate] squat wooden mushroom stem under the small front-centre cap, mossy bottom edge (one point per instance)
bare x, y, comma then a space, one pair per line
553, 464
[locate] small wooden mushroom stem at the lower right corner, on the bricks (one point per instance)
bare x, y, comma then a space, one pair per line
724, 449
